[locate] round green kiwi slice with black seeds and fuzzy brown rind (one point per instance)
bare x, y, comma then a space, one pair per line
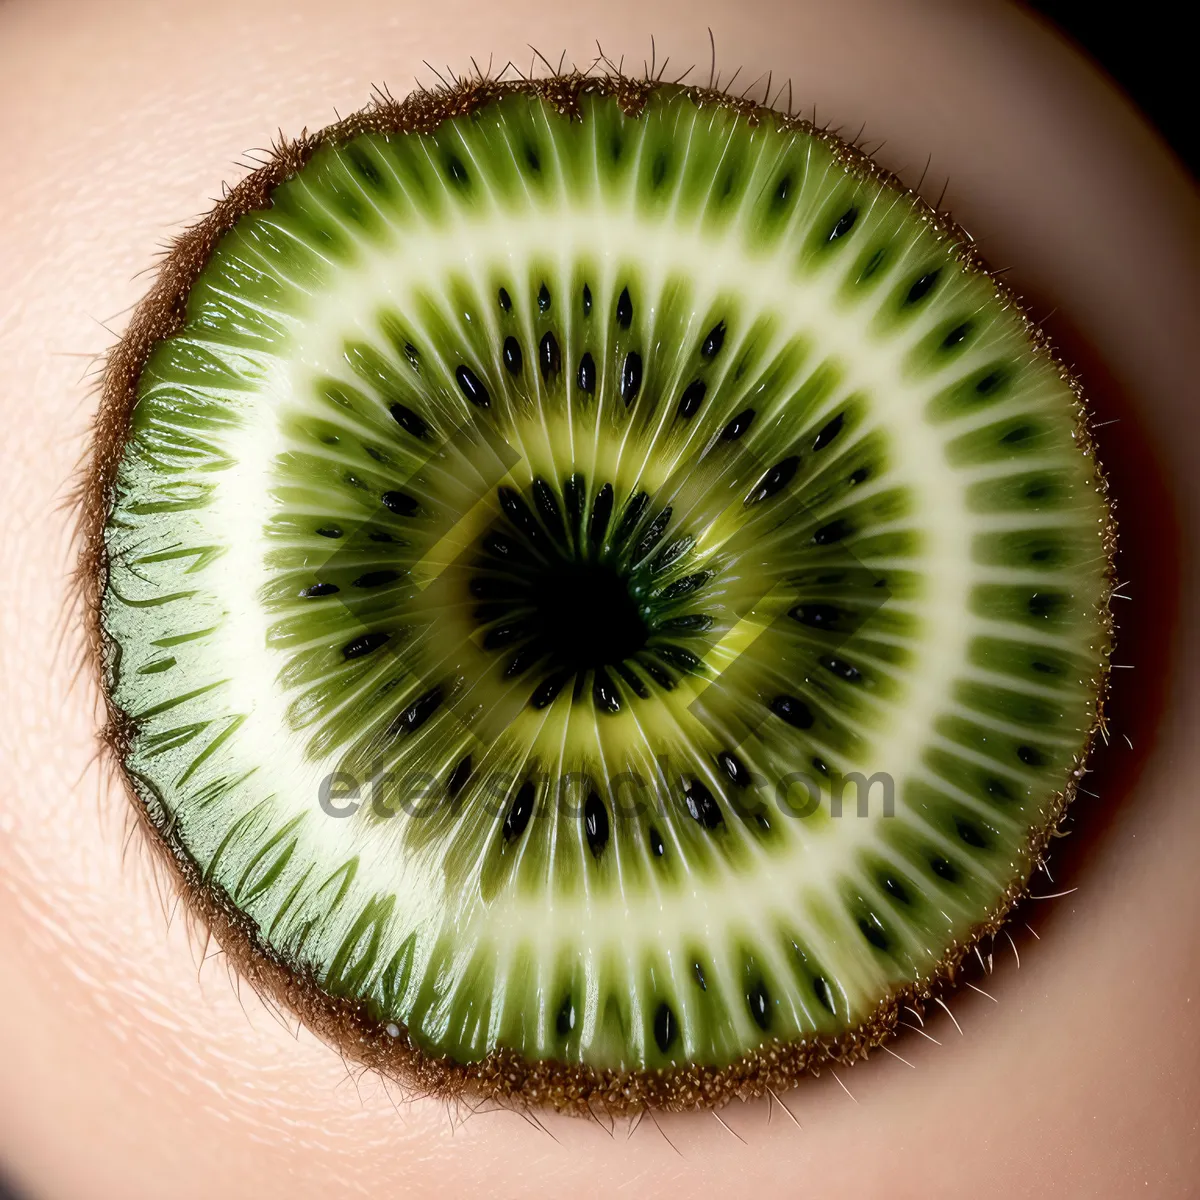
599, 592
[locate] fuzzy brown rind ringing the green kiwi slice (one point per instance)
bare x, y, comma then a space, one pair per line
501, 1077
